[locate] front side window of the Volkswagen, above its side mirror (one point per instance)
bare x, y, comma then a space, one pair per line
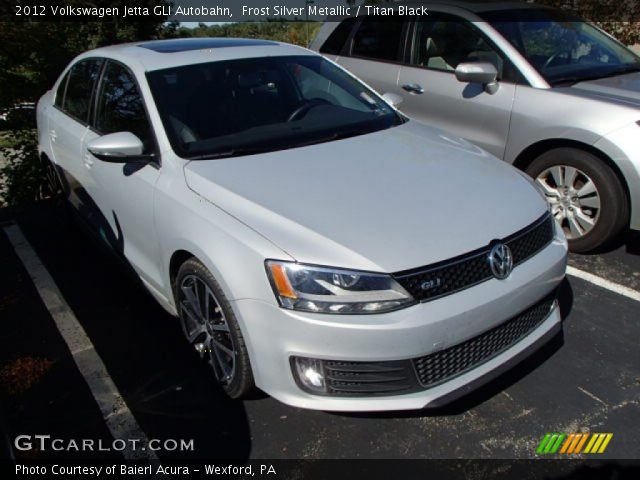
120, 105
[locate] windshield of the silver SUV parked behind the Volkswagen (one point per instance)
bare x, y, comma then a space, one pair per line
562, 48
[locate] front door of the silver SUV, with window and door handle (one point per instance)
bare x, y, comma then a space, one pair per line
434, 96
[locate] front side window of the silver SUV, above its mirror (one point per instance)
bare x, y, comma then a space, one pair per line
444, 44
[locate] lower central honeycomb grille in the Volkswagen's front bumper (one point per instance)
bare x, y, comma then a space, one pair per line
441, 366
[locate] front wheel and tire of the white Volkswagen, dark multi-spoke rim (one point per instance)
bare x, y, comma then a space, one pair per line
213, 341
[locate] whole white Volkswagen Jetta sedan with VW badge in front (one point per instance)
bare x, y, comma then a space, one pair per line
313, 241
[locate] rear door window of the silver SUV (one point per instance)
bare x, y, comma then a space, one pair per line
378, 39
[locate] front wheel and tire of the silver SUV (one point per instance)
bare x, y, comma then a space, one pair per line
601, 214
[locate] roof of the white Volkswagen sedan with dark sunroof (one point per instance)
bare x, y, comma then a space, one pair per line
160, 54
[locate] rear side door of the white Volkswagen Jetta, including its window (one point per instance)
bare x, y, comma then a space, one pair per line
68, 125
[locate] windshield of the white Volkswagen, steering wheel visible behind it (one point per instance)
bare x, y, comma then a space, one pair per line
238, 107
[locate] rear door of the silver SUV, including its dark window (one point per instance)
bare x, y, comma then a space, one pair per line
374, 53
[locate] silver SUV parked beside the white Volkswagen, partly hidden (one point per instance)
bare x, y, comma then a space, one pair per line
553, 95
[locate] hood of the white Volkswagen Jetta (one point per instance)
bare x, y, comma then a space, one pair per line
388, 201
